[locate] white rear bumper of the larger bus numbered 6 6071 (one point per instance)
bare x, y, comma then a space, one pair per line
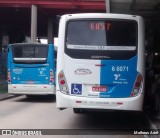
128, 104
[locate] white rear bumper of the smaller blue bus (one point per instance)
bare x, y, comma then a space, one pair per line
31, 89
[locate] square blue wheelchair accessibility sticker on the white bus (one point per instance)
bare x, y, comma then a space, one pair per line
76, 89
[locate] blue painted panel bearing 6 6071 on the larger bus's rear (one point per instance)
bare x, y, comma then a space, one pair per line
119, 77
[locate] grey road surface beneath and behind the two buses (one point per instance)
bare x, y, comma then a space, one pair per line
41, 113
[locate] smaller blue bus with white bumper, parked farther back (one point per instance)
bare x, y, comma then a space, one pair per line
31, 69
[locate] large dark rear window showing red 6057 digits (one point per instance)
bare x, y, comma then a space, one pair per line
101, 39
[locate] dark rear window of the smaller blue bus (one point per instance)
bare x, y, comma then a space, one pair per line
30, 53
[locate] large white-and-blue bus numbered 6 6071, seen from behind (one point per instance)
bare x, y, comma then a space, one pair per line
100, 62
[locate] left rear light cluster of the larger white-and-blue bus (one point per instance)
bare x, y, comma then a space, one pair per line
63, 83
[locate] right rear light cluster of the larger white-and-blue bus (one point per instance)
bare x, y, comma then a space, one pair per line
137, 86
